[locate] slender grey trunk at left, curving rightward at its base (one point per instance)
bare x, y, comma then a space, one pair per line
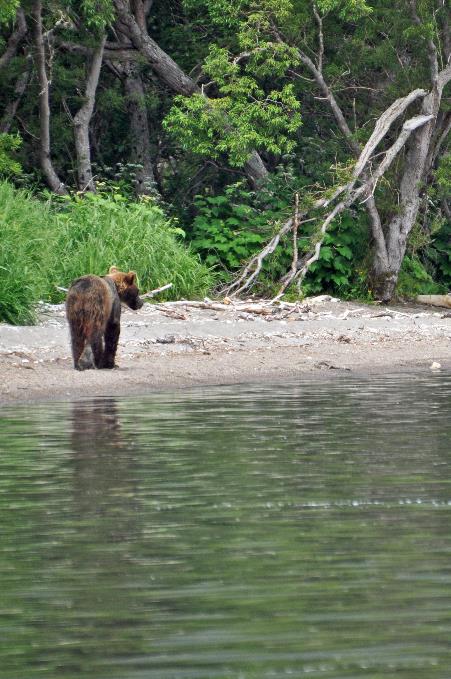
51, 176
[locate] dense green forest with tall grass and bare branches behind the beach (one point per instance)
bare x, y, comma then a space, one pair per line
272, 147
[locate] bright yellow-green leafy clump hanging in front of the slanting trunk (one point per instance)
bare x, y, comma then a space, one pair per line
246, 115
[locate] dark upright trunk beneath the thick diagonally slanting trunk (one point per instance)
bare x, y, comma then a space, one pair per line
139, 132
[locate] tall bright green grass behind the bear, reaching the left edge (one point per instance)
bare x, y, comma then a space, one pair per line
43, 245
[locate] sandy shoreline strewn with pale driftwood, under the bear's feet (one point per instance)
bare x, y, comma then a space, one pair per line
163, 349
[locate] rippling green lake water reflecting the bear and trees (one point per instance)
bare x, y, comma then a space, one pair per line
247, 532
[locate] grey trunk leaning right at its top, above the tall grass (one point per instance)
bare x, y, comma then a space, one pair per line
82, 120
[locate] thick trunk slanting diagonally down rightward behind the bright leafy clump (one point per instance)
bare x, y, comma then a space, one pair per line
172, 75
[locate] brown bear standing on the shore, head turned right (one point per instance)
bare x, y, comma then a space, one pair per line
93, 307
